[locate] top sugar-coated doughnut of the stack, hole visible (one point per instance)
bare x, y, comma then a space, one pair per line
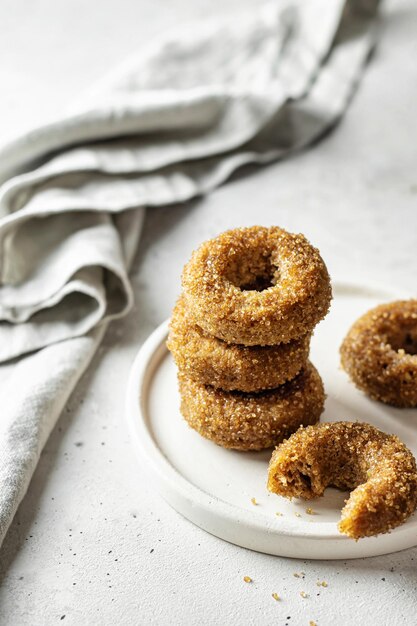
257, 286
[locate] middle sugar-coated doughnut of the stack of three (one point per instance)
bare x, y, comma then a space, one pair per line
211, 361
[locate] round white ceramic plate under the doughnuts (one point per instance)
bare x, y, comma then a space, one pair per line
213, 487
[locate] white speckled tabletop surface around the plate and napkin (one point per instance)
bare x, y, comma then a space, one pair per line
92, 543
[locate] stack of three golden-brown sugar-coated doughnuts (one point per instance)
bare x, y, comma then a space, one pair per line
240, 336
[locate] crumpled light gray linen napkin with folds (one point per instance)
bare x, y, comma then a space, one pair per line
170, 125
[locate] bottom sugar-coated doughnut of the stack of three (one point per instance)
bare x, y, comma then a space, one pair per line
252, 421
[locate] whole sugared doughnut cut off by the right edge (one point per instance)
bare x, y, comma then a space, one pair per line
380, 353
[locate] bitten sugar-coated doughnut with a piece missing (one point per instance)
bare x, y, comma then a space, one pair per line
377, 468
